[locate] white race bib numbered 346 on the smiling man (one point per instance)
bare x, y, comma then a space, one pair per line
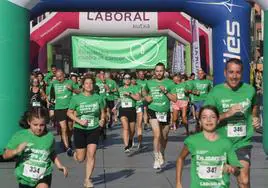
236, 130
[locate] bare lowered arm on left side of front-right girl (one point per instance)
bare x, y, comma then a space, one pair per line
179, 166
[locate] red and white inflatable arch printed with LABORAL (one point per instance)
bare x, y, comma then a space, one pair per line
57, 25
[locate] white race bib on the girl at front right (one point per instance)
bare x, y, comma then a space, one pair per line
210, 172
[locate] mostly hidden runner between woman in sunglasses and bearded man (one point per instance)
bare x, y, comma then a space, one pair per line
142, 81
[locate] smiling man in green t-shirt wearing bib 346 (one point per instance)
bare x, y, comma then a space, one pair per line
236, 103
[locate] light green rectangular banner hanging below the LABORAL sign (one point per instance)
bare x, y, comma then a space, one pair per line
118, 53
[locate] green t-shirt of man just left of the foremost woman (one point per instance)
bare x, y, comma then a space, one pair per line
63, 95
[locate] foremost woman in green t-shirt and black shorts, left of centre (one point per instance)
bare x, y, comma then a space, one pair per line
87, 110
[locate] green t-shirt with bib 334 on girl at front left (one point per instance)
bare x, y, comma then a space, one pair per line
35, 161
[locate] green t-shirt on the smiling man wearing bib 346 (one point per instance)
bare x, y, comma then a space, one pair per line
239, 127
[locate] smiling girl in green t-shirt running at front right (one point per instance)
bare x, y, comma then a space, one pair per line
213, 156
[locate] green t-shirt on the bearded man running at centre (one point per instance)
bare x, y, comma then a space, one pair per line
160, 101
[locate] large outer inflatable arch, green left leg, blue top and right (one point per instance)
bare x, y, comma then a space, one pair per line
229, 20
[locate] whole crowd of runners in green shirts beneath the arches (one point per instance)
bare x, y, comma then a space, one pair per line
82, 108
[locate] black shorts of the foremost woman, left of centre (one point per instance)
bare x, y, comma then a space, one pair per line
82, 138
